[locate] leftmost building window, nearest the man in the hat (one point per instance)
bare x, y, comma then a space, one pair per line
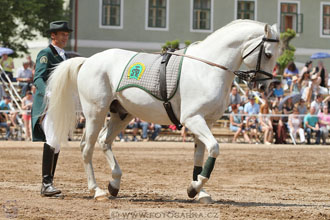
111, 12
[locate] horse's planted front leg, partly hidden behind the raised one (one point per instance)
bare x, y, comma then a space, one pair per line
203, 197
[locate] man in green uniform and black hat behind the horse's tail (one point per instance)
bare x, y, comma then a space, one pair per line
42, 128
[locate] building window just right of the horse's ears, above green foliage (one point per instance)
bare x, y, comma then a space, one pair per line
290, 18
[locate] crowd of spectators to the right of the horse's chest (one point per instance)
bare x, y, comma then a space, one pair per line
295, 103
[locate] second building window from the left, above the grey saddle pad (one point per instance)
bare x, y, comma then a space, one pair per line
157, 13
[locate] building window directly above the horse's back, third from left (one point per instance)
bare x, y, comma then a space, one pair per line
201, 14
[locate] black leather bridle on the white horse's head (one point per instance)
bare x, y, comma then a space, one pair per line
250, 75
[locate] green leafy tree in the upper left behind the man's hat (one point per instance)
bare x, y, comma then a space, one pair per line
22, 20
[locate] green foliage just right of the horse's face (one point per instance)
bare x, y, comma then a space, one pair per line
287, 50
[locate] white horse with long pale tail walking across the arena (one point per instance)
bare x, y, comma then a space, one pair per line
201, 97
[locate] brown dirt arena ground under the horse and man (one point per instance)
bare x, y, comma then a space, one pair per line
248, 182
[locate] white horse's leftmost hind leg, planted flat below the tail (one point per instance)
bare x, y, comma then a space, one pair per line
94, 121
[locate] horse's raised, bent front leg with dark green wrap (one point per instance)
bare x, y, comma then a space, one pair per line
198, 126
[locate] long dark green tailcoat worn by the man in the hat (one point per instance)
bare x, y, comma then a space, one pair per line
46, 60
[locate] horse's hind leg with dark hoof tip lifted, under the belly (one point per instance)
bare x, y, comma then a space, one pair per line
106, 137
